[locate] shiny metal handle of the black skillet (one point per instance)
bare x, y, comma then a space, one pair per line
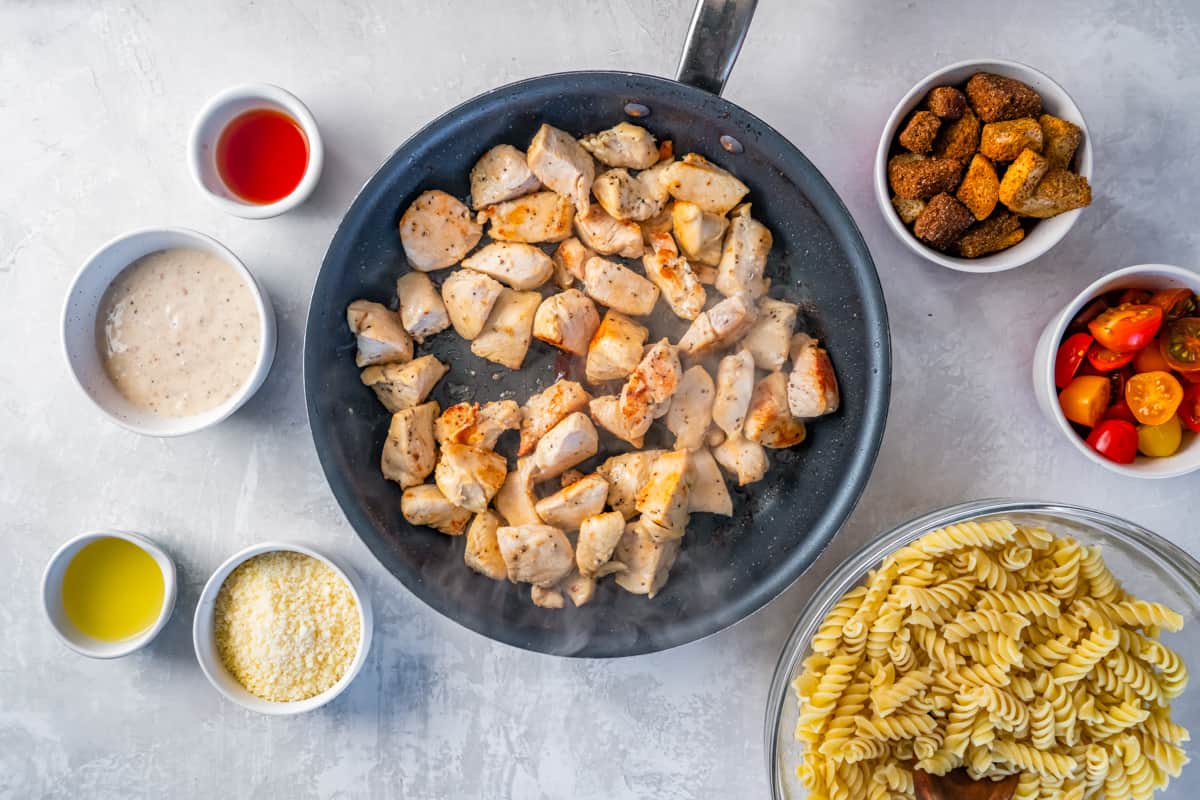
715, 40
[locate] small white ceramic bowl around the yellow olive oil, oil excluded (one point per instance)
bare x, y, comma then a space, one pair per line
79, 641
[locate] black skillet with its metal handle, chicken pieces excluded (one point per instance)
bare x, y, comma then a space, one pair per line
729, 568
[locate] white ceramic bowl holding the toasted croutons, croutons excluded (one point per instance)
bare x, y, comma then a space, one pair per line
1041, 237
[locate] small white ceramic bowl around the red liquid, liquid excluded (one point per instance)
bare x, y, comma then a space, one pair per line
213, 119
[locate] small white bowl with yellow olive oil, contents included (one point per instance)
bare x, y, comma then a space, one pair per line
109, 593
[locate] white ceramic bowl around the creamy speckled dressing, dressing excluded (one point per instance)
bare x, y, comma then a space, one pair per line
83, 352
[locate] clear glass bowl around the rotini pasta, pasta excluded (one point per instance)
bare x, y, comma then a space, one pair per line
1147, 564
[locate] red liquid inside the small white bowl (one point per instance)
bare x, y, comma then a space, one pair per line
262, 157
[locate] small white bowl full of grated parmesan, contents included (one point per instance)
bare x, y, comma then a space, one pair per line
283, 629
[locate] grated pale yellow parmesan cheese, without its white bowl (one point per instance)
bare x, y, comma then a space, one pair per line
286, 627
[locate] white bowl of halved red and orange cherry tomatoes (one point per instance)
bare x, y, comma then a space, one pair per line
1119, 371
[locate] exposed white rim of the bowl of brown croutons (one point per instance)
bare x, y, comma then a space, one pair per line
1021, 254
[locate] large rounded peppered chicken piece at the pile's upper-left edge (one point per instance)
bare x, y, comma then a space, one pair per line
437, 232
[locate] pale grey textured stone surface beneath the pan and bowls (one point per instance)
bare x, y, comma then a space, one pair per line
95, 107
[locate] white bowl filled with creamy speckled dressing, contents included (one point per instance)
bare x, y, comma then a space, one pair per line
167, 332
